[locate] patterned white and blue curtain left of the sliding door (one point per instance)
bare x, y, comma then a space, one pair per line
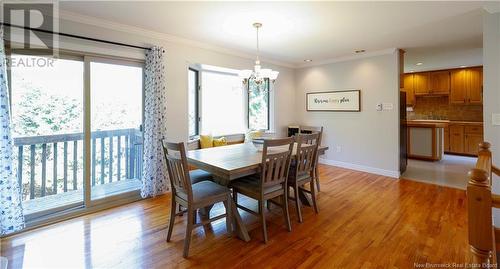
11, 211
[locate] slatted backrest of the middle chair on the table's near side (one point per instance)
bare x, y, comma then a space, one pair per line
276, 155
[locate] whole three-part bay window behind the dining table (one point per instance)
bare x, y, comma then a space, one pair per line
222, 105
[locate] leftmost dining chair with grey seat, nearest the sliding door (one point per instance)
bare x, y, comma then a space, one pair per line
192, 196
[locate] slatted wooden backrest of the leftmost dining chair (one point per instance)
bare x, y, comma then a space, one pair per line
178, 170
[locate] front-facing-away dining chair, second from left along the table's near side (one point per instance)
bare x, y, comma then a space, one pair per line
270, 182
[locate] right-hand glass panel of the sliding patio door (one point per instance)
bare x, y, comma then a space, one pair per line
116, 89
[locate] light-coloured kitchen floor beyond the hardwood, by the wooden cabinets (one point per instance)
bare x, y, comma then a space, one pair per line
451, 171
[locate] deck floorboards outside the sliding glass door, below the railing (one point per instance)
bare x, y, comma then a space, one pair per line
74, 198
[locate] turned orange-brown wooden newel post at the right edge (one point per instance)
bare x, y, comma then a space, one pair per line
480, 201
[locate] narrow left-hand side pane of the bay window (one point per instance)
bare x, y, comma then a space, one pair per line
193, 117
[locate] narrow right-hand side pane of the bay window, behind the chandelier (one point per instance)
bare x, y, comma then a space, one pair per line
258, 106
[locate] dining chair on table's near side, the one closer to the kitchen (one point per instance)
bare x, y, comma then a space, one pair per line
302, 170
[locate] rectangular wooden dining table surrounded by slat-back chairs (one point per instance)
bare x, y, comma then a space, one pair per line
232, 162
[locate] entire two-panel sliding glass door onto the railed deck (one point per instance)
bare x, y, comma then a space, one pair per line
77, 124
